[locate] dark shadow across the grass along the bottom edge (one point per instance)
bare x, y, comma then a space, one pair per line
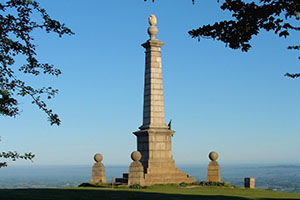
69, 194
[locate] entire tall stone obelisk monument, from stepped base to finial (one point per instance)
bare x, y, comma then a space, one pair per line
154, 136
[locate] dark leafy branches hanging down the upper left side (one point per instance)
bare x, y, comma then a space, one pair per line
16, 27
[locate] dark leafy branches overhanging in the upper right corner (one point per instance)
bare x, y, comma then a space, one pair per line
247, 21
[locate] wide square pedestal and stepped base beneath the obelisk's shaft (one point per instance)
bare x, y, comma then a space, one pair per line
159, 165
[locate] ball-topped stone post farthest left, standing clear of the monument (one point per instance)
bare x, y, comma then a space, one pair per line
98, 171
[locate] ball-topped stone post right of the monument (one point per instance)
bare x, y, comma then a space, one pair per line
213, 171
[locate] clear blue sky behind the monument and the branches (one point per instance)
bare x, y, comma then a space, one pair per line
238, 104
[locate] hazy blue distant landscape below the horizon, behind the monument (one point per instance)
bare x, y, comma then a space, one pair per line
280, 177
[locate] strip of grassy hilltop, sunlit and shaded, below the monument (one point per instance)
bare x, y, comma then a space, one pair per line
156, 192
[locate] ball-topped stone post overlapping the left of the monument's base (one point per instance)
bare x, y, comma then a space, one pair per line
136, 170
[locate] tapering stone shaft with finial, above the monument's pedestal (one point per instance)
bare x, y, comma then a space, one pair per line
153, 113
